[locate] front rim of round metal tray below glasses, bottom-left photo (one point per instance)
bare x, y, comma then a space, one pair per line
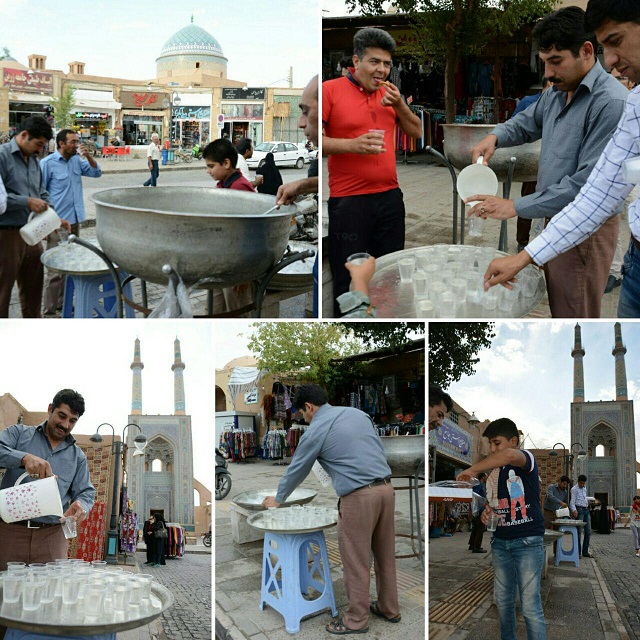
57, 620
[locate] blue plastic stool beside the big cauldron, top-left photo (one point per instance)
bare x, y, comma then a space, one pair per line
94, 296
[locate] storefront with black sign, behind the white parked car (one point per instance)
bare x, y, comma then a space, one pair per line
243, 111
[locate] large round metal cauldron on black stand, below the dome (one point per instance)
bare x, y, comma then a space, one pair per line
217, 235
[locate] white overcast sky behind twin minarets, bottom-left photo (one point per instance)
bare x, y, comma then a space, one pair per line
94, 357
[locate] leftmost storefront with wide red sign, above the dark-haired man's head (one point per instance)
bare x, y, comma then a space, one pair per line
29, 92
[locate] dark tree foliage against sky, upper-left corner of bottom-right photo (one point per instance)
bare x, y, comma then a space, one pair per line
453, 348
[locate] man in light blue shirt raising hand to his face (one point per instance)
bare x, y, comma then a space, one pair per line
62, 173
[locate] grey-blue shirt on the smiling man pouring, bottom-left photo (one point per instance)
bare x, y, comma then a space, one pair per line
67, 461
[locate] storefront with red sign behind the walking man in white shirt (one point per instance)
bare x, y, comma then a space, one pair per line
142, 116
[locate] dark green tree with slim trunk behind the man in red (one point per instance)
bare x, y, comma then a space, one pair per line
447, 30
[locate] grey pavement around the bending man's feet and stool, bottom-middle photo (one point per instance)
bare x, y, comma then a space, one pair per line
238, 569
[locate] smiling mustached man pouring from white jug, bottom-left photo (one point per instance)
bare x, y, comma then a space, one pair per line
46, 450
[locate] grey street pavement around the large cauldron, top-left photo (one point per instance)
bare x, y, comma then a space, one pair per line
133, 172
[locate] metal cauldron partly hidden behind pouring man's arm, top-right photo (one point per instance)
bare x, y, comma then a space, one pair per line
459, 139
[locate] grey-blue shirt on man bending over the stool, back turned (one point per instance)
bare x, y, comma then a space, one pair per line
346, 445
